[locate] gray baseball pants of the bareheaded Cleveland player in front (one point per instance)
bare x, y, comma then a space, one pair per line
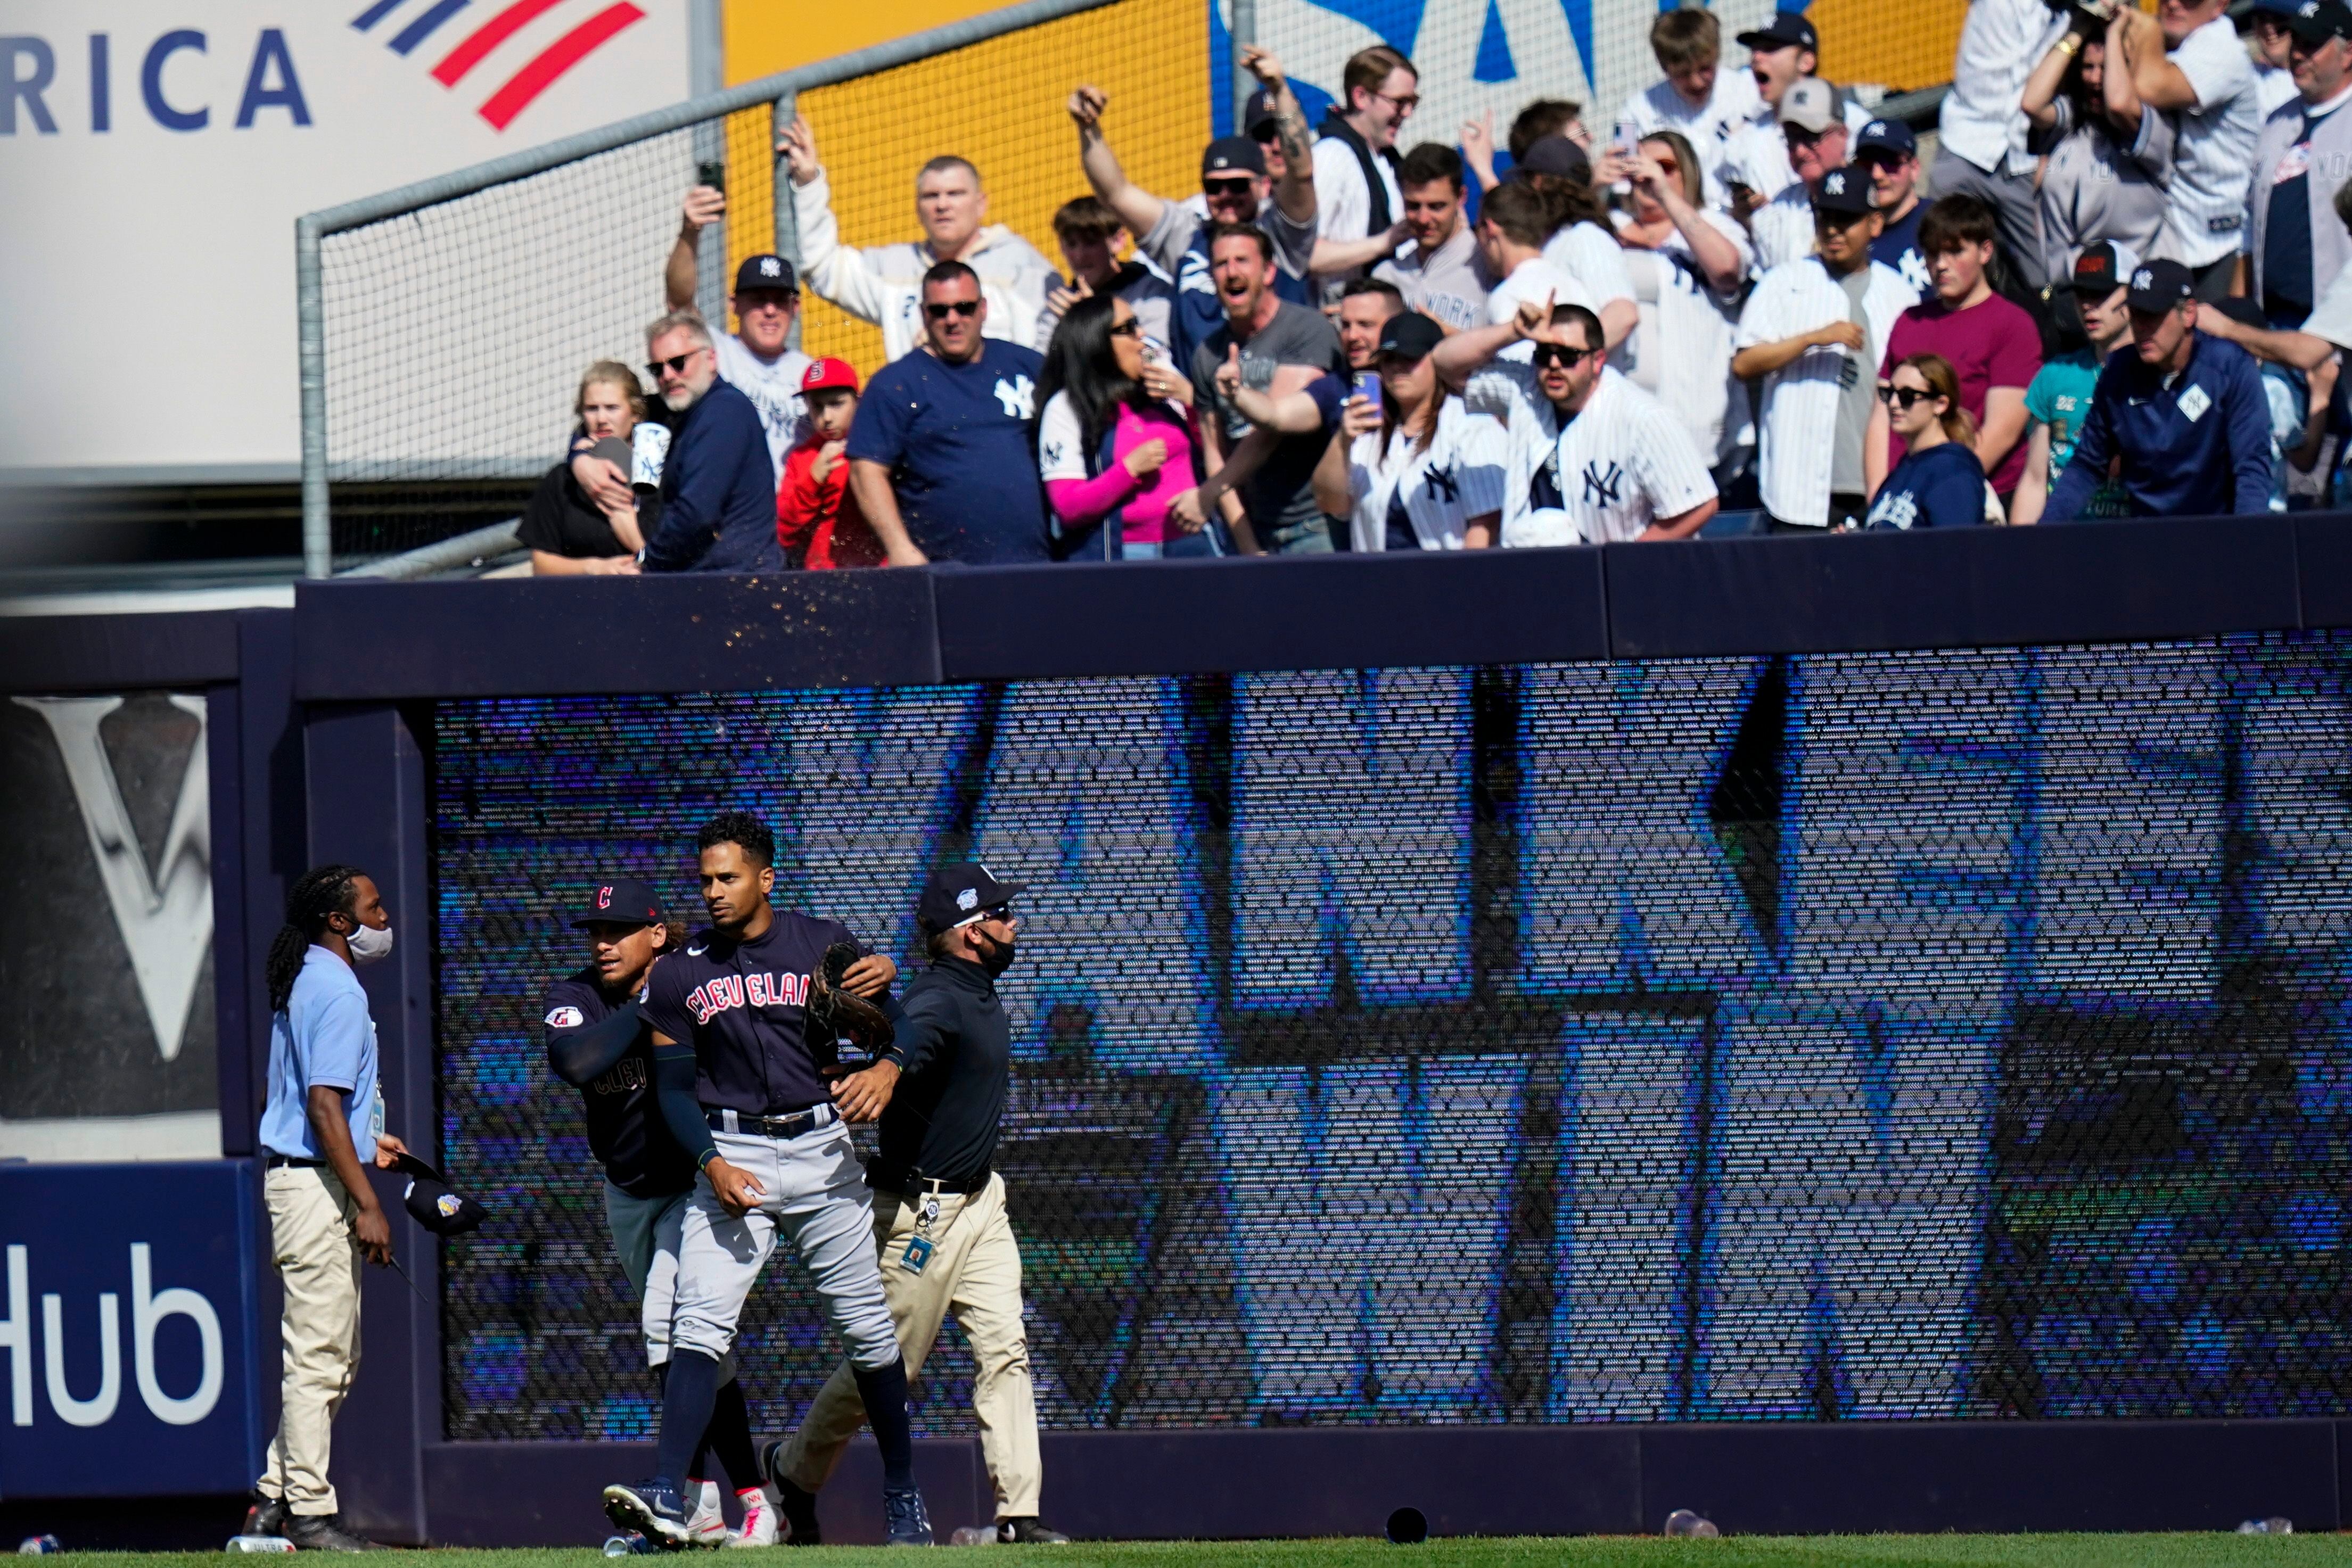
815, 1191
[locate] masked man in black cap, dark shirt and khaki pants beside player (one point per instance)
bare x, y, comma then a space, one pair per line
940, 1212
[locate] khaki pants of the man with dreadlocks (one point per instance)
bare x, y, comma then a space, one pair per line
319, 1259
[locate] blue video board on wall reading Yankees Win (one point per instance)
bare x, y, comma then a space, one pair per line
1709, 1040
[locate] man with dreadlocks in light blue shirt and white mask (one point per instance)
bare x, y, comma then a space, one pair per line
323, 1125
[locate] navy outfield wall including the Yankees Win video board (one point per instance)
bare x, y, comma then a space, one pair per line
1831, 1033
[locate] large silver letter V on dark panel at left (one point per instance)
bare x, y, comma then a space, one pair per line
163, 911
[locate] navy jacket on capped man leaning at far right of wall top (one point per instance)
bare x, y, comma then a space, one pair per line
2193, 450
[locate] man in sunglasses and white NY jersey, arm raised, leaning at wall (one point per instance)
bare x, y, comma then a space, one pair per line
1589, 455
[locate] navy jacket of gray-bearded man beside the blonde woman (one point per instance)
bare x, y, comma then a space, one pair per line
719, 492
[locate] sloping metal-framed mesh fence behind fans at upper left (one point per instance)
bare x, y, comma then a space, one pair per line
446, 323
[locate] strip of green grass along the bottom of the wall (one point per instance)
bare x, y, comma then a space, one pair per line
1523, 1553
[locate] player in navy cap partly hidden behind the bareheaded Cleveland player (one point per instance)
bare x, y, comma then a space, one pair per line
601, 1045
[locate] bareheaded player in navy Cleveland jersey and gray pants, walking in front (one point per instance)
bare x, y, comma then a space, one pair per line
744, 1092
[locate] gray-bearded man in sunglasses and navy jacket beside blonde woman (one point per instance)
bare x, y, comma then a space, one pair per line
719, 485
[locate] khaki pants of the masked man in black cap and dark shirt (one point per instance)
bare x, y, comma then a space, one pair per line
977, 1273
